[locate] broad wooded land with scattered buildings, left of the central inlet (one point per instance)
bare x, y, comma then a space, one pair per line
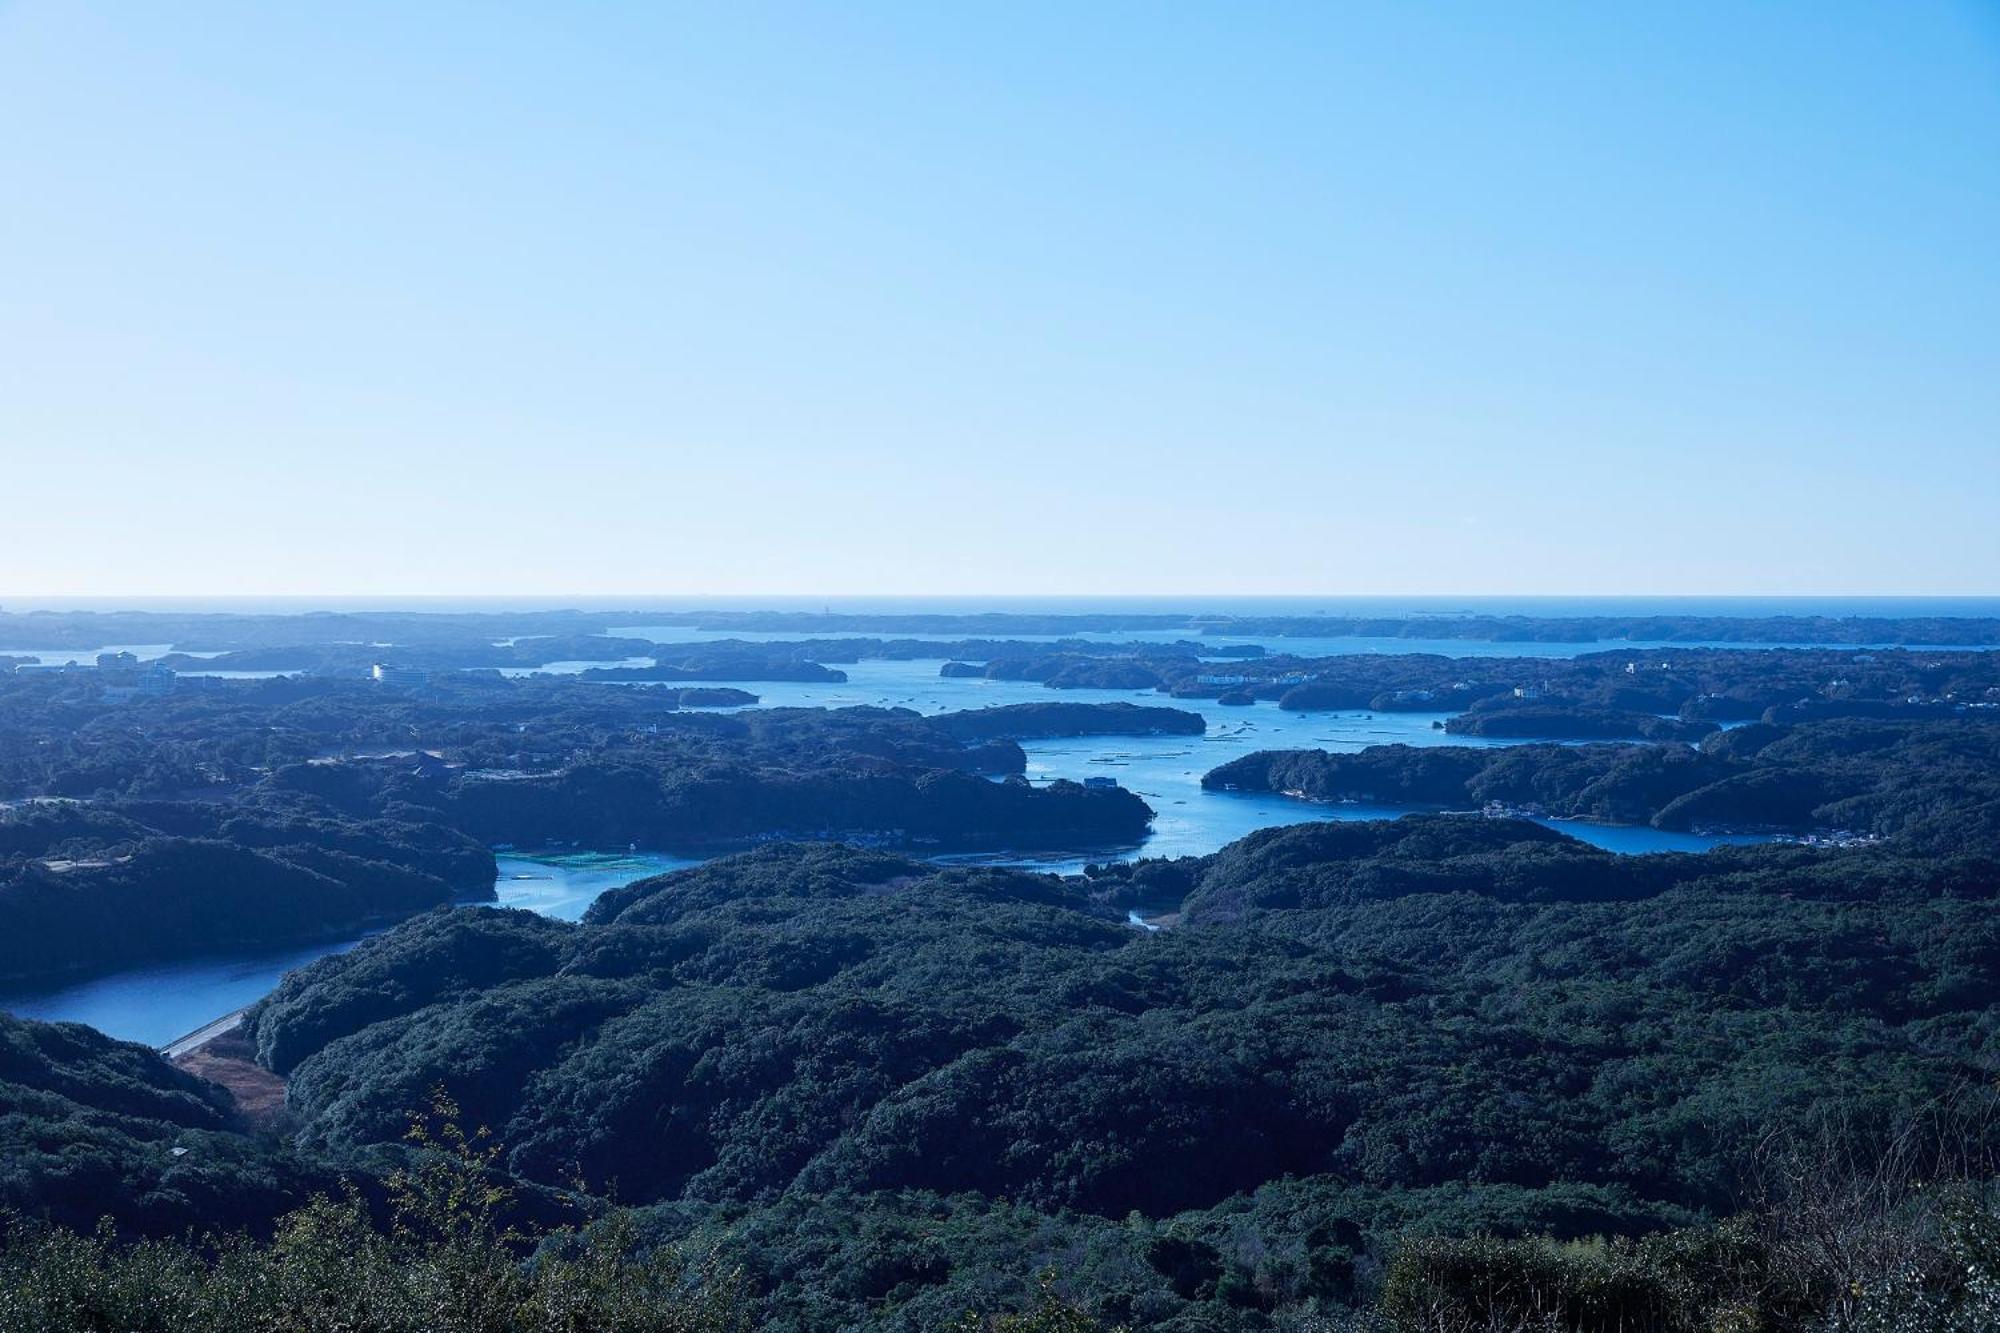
295, 810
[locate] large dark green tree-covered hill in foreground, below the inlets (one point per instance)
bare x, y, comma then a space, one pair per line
1385, 1006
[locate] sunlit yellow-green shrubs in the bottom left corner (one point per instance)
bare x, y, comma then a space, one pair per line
451, 1262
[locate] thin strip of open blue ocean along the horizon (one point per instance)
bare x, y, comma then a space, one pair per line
1193, 605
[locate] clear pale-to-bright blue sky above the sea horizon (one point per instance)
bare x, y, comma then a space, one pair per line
999, 297
